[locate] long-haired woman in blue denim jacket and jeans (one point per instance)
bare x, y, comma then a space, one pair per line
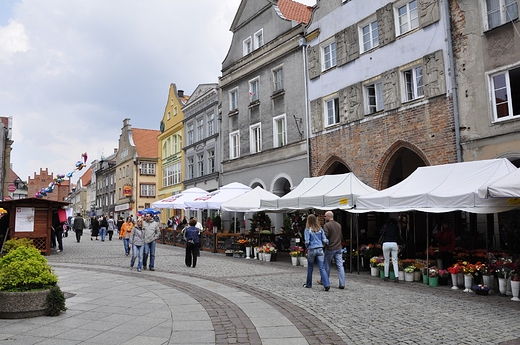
315, 239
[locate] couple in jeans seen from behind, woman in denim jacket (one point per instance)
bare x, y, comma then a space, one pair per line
315, 239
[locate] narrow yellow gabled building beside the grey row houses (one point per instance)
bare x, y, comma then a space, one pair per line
171, 157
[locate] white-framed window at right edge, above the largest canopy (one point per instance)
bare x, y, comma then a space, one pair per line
506, 94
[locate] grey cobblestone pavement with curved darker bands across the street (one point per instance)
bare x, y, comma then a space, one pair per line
226, 300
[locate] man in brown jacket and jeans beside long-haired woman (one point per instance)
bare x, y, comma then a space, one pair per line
333, 250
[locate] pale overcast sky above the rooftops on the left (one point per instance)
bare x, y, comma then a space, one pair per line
72, 70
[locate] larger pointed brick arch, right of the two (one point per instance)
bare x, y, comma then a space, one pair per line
393, 157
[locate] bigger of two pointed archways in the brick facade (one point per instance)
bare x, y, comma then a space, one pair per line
394, 154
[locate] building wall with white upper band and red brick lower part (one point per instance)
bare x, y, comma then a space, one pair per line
367, 143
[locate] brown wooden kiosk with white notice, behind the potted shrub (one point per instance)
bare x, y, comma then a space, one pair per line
30, 218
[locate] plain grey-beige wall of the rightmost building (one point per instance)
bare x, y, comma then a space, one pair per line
479, 54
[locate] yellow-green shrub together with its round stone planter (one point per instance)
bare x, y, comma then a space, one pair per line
28, 285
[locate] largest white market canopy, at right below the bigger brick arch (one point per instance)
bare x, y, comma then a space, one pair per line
442, 188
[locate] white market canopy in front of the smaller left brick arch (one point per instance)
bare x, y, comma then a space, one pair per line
327, 192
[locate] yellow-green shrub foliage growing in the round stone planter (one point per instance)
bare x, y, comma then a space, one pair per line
25, 269
